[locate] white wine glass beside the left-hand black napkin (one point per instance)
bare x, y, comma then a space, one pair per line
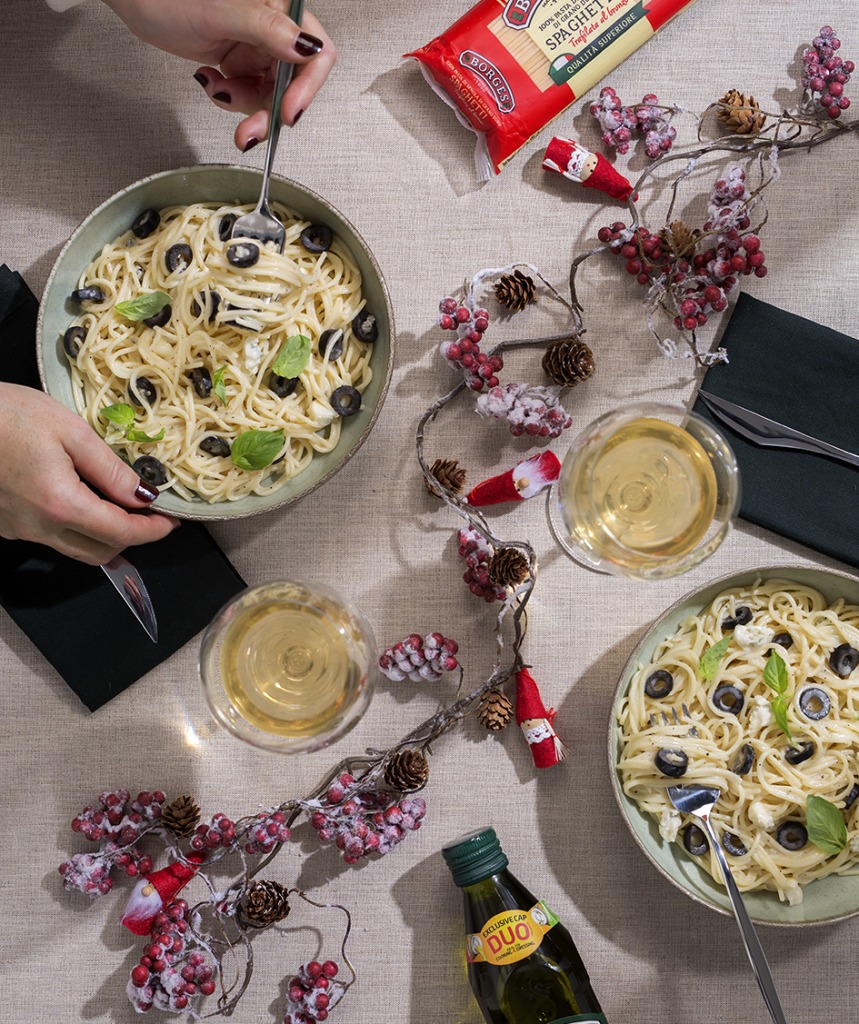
288, 666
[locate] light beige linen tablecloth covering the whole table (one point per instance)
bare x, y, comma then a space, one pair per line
88, 110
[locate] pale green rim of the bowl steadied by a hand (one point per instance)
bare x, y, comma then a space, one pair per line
230, 514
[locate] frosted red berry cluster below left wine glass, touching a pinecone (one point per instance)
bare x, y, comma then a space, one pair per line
361, 823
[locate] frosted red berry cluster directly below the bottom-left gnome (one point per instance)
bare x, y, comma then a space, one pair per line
169, 977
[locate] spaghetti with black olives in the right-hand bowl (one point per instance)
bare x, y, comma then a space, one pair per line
736, 743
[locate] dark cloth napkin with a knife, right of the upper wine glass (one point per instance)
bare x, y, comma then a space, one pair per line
806, 376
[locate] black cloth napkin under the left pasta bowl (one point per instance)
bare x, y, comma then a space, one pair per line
70, 611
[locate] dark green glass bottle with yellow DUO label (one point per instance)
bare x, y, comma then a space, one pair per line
523, 963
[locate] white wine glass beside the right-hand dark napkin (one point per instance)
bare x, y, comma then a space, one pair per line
647, 492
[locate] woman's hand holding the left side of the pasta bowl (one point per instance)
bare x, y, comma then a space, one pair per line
48, 454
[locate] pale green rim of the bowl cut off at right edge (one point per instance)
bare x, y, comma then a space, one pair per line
716, 585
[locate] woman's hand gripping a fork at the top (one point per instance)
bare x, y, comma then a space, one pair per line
239, 44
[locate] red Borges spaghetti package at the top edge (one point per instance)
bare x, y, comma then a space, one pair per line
508, 68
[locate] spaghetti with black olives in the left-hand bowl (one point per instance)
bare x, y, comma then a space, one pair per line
206, 373
